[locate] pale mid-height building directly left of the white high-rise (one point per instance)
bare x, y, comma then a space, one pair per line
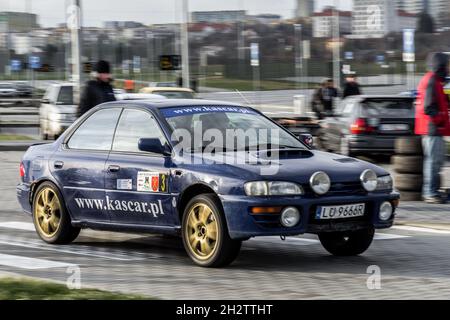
323, 22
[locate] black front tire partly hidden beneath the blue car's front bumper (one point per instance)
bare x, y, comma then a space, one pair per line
349, 243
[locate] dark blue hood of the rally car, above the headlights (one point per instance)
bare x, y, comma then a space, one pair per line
292, 165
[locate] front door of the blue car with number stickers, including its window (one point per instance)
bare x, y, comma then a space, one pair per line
138, 183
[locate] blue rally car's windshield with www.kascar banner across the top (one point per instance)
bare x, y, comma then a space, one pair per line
227, 128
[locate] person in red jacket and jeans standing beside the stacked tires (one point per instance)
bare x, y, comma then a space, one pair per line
432, 123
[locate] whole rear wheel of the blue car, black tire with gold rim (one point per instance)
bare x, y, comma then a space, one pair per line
50, 217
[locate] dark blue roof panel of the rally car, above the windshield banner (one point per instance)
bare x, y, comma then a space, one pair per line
171, 103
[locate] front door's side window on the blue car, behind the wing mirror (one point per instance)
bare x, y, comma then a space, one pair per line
134, 125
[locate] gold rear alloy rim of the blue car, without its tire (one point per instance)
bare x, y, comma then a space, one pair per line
47, 212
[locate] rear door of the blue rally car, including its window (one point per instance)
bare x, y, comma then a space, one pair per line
79, 166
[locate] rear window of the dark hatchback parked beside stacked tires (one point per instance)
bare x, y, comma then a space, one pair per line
388, 107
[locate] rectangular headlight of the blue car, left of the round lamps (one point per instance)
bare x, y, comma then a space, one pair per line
272, 188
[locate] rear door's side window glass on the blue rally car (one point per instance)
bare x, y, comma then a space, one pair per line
96, 133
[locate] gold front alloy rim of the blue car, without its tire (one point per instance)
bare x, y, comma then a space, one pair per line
201, 231
